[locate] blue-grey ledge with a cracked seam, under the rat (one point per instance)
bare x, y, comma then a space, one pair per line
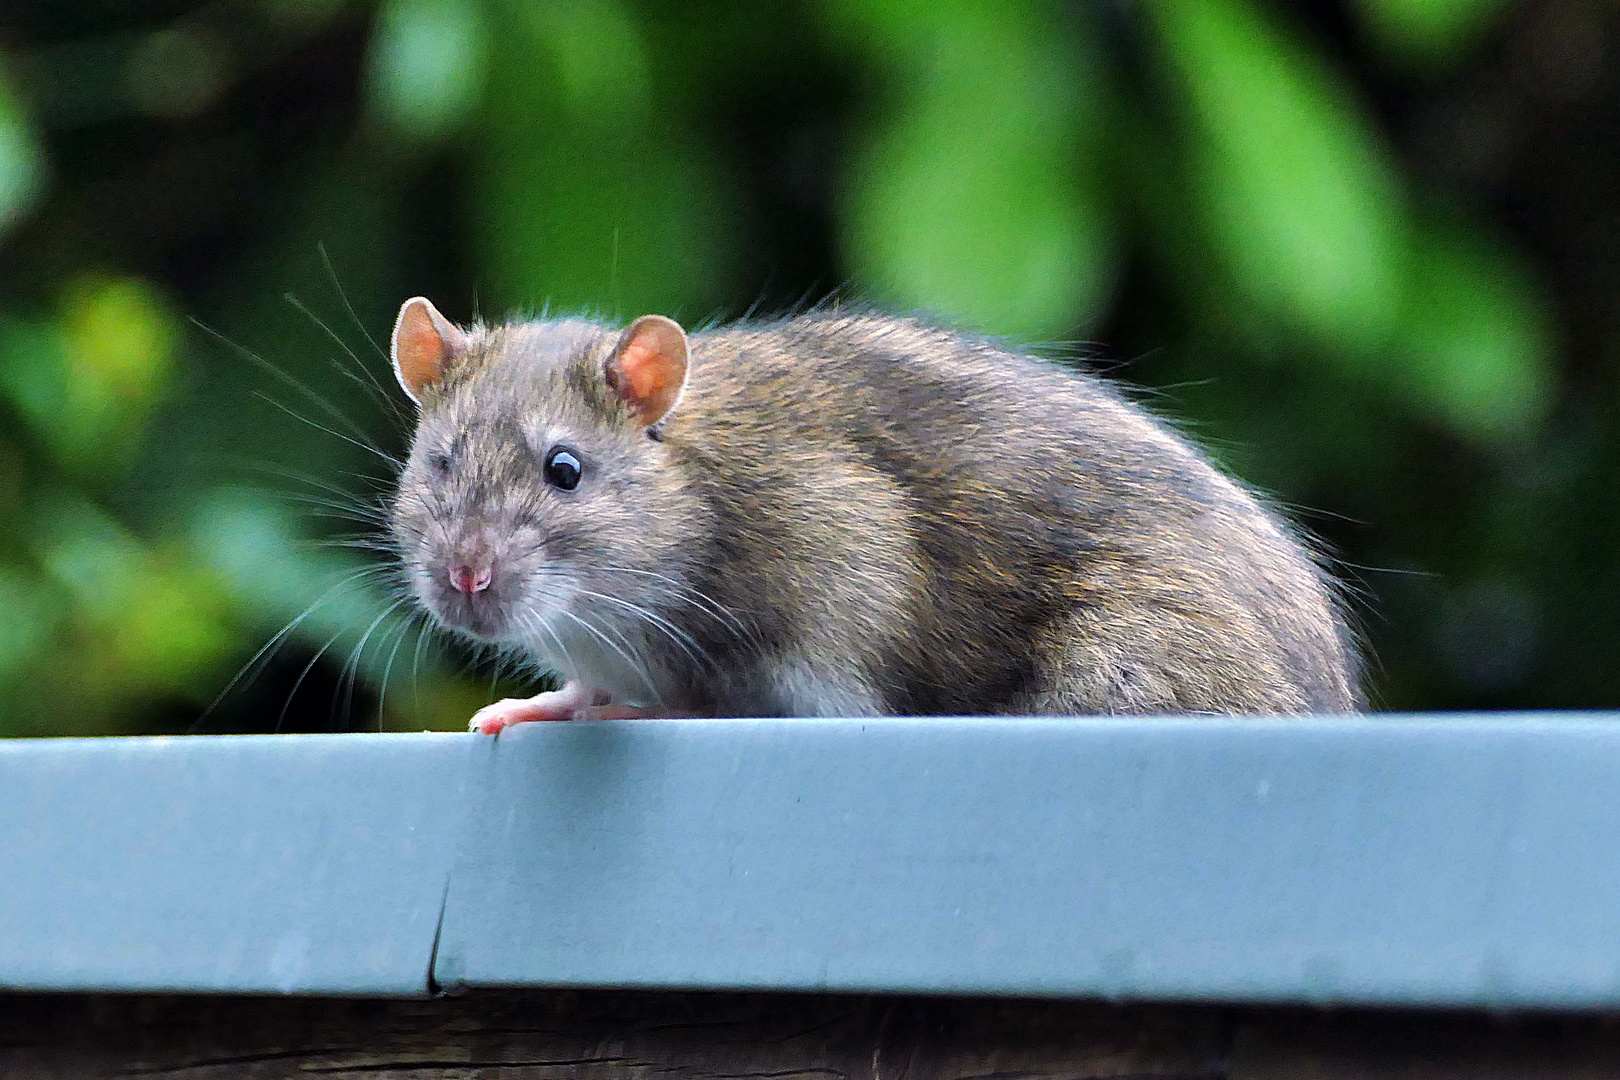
1405, 861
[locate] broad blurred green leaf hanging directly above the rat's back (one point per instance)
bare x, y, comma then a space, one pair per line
973, 198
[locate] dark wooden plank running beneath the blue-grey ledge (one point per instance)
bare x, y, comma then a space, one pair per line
616, 1035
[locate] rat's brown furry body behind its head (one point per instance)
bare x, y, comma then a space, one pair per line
919, 522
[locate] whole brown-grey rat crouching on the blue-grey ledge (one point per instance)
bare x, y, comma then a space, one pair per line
840, 514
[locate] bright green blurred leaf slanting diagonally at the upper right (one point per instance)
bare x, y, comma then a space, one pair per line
1300, 197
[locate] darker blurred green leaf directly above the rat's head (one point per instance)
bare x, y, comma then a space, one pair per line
592, 203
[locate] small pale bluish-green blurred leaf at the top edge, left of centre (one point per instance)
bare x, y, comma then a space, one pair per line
428, 62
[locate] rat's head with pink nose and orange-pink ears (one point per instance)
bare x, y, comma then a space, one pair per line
540, 496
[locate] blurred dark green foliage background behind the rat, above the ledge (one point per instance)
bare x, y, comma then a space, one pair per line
1366, 252
